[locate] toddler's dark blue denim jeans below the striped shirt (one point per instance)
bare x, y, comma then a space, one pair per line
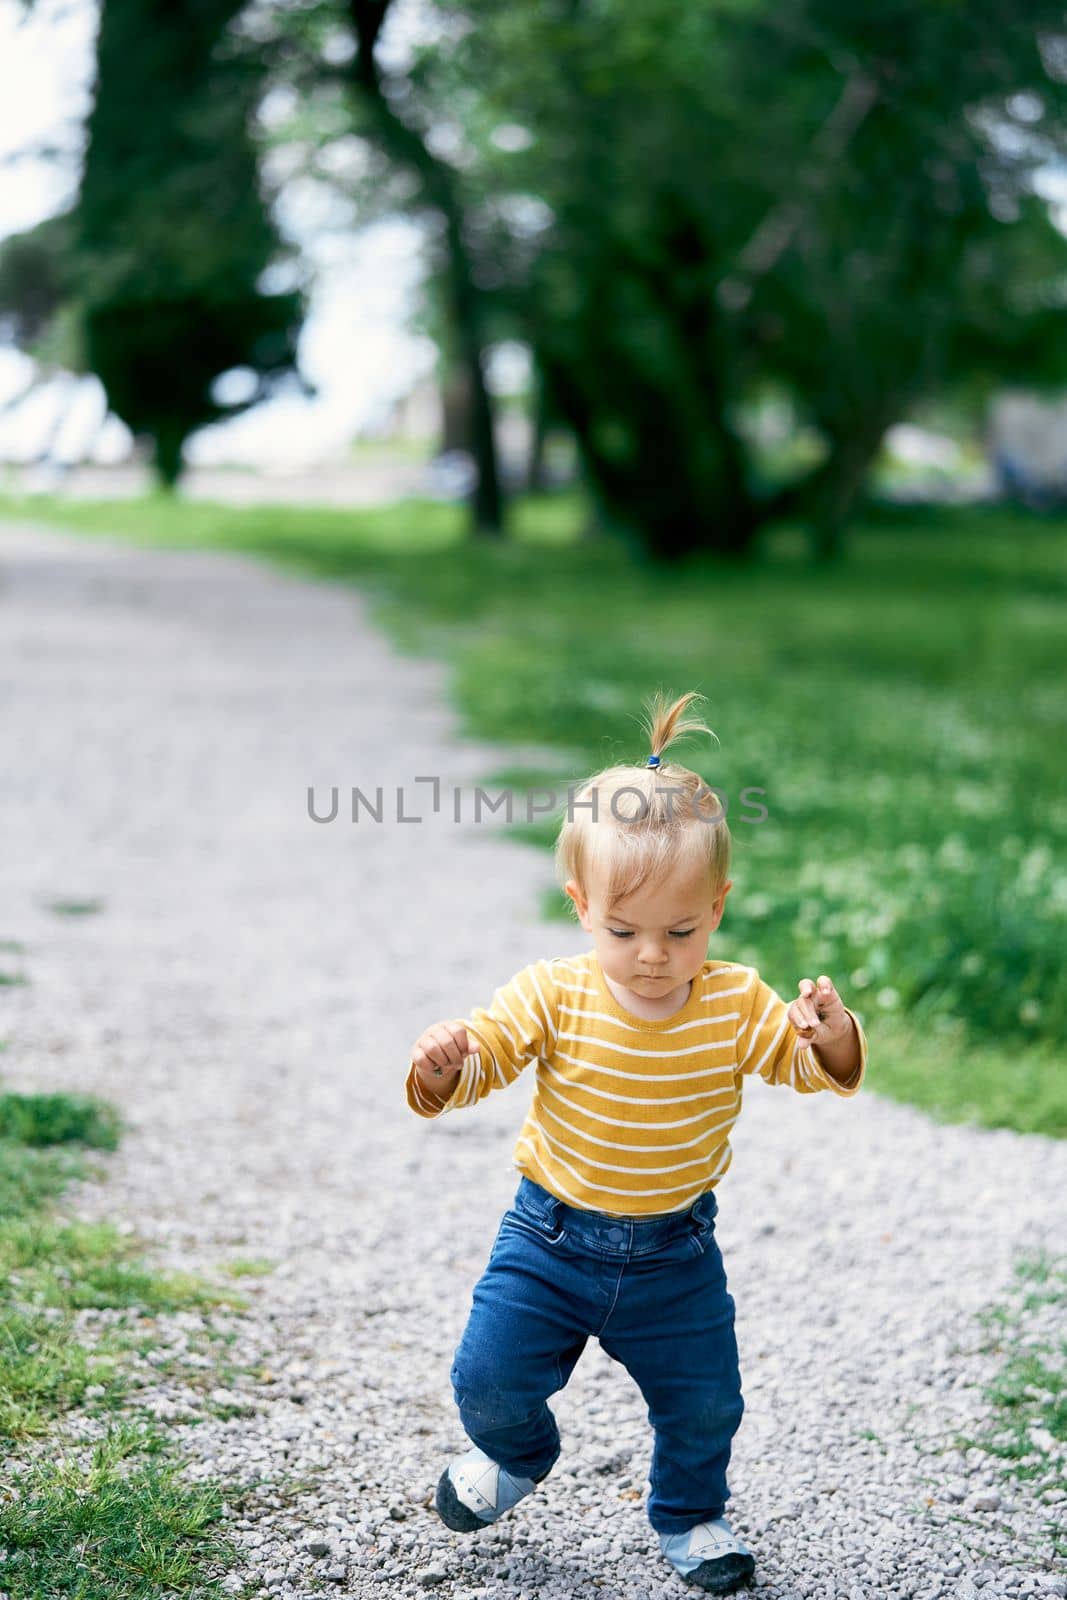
653, 1290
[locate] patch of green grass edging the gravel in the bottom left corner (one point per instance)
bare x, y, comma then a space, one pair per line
111, 1519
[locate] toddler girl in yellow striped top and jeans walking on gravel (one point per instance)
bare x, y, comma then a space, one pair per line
641, 1049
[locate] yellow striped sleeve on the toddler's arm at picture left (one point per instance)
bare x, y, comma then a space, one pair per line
519, 1026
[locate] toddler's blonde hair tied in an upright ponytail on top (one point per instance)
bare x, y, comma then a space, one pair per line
649, 822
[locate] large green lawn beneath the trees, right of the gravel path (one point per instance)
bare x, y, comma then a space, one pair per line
903, 719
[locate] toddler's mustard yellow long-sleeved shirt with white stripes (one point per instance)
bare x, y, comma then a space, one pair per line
629, 1116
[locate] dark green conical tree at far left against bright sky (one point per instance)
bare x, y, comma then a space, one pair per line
154, 279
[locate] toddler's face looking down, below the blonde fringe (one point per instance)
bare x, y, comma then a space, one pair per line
657, 940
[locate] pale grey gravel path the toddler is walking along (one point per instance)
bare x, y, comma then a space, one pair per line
249, 994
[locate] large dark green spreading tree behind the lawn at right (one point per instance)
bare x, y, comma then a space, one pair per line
796, 193
